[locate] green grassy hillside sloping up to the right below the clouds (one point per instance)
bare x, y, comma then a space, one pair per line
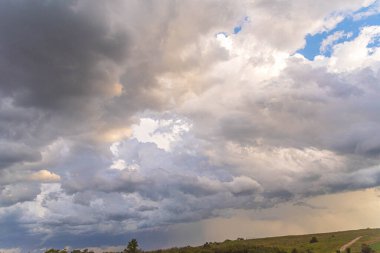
327, 243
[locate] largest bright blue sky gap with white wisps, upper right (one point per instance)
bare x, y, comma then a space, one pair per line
349, 28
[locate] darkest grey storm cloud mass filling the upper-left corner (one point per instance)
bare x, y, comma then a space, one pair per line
55, 53
